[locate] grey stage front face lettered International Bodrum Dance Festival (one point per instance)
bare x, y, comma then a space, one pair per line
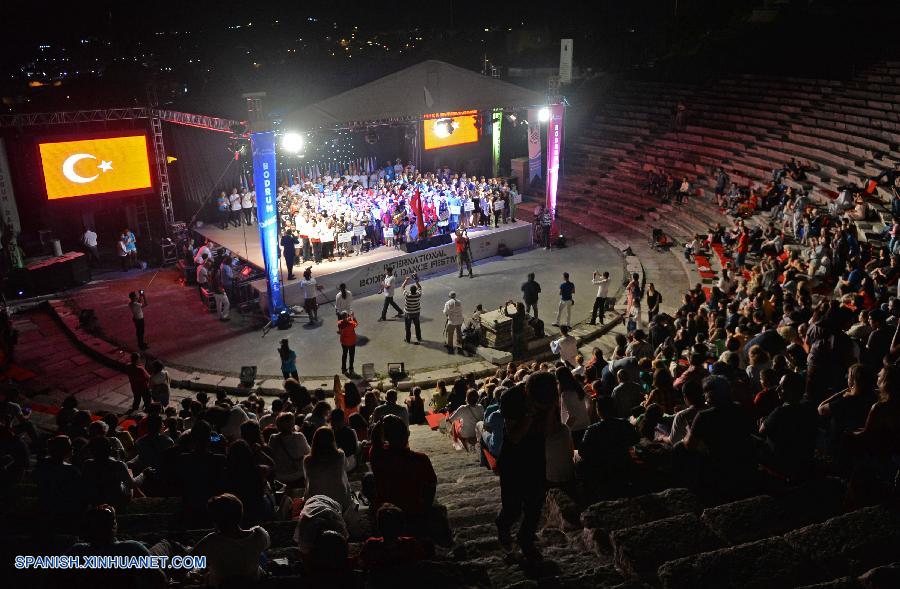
366, 278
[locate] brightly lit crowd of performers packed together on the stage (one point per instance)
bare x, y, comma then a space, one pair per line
332, 215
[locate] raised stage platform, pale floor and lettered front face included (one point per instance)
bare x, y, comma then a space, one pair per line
362, 273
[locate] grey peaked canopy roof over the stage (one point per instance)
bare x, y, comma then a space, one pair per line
428, 87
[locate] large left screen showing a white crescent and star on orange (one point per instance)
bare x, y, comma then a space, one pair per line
99, 166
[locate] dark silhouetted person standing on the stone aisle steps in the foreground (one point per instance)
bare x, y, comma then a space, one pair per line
522, 462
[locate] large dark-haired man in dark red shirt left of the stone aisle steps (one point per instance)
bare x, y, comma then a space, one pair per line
401, 476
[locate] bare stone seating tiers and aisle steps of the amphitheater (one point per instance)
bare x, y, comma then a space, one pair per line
791, 537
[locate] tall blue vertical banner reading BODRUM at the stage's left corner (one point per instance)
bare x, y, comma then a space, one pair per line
264, 178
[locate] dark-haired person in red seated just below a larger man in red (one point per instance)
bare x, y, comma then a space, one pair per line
391, 548
